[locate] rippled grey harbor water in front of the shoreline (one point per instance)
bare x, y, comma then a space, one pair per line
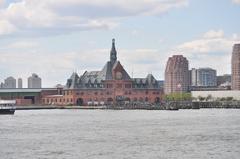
121, 134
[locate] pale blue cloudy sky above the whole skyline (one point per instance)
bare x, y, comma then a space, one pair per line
54, 38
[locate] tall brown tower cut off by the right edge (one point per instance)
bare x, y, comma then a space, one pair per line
236, 67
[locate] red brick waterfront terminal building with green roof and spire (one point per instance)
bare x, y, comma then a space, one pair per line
109, 86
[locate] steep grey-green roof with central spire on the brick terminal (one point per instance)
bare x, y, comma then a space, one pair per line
94, 79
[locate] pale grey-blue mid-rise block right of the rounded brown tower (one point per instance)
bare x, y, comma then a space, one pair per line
205, 77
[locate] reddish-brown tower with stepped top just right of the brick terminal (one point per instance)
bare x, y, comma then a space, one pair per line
176, 75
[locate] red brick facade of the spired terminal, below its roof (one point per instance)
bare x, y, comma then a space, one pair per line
109, 94
